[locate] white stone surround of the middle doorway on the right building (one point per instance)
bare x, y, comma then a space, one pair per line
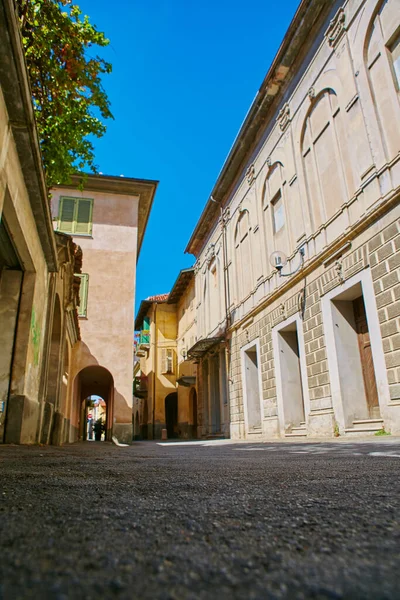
303, 368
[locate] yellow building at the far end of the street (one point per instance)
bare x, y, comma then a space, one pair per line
165, 396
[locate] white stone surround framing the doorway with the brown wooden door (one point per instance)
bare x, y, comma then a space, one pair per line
365, 279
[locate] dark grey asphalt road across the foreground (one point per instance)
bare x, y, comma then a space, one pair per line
280, 520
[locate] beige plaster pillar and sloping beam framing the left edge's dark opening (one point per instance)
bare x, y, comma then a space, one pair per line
15, 210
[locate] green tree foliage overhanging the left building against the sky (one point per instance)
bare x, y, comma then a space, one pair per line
68, 97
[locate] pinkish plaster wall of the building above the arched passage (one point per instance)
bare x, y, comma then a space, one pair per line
110, 260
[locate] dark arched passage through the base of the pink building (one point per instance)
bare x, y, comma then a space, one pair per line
95, 381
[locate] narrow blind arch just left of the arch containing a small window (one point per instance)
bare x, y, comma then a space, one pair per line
243, 255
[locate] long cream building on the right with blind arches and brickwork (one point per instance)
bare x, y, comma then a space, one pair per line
313, 176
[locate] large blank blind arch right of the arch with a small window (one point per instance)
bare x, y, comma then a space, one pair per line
322, 158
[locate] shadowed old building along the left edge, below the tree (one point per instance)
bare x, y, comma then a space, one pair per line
38, 289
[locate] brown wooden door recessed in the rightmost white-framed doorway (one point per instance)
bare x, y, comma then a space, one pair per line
367, 362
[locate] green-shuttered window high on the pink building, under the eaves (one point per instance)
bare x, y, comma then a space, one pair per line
75, 216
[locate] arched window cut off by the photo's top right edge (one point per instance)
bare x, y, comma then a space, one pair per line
383, 68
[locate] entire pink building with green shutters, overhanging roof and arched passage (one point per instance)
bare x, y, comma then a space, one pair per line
108, 219
